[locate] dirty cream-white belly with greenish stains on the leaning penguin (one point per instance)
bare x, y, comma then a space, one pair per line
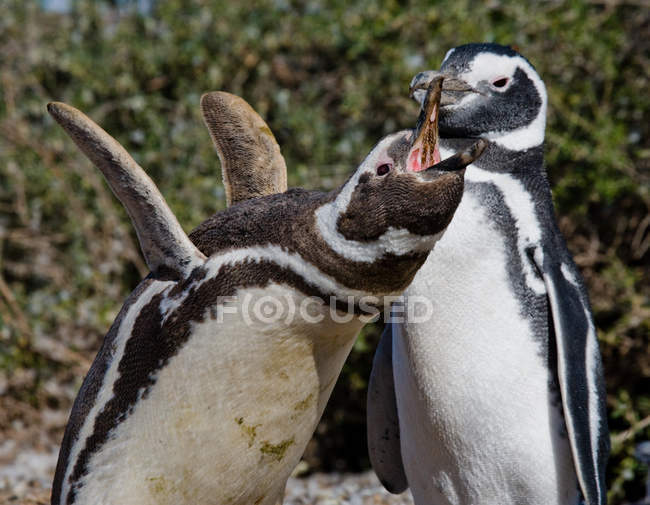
229, 416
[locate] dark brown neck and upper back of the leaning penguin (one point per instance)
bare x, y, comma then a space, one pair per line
283, 230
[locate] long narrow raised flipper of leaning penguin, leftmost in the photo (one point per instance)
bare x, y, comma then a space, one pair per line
163, 241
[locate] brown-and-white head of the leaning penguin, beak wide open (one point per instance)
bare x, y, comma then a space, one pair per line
402, 197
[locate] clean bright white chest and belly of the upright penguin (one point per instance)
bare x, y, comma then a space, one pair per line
482, 427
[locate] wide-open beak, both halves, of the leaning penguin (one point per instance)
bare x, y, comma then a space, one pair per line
424, 155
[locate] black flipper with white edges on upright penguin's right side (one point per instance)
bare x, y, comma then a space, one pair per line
580, 376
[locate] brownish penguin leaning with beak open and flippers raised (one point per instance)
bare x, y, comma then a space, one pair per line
197, 394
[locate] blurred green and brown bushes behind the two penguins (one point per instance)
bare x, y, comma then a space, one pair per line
330, 78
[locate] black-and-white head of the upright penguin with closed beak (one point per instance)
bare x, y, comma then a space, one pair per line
489, 91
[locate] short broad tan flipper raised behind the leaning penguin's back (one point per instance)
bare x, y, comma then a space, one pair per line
251, 162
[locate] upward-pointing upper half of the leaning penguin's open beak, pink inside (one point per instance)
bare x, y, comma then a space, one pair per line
424, 149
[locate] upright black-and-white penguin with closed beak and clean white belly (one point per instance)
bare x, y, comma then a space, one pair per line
497, 397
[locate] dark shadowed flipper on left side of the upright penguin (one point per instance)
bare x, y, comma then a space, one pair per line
383, 421
